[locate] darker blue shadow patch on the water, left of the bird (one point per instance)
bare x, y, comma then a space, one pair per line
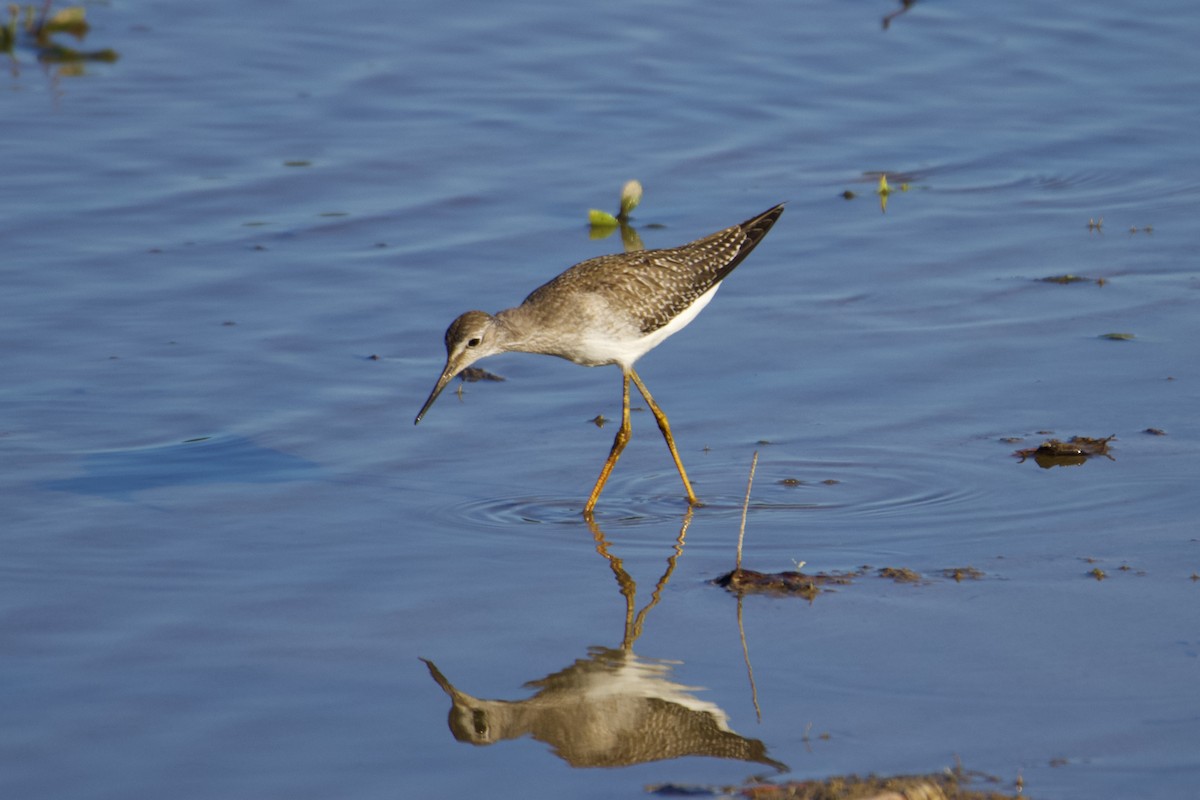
118, 474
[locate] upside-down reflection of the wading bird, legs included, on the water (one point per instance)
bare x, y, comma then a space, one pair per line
613, 708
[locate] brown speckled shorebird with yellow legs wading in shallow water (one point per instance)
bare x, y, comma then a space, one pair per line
610, 310
